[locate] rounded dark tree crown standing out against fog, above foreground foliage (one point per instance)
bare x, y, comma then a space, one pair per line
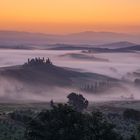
77, 101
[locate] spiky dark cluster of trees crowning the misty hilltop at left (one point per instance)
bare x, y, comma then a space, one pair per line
38, 61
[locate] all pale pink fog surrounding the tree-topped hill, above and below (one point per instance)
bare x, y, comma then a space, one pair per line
121, 66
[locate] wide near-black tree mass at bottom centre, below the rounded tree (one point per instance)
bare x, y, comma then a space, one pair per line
65, 123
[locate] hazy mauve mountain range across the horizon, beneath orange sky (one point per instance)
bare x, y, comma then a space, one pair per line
10, 38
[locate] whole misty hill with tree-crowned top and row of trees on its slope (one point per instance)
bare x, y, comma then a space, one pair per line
41, 76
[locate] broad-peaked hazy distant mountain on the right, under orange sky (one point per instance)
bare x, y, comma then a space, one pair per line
97, 38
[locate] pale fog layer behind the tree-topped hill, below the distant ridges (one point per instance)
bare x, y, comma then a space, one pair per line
118, 64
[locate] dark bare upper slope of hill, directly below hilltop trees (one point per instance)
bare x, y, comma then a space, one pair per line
47, 74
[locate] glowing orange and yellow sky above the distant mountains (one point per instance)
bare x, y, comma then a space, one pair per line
66, 16
